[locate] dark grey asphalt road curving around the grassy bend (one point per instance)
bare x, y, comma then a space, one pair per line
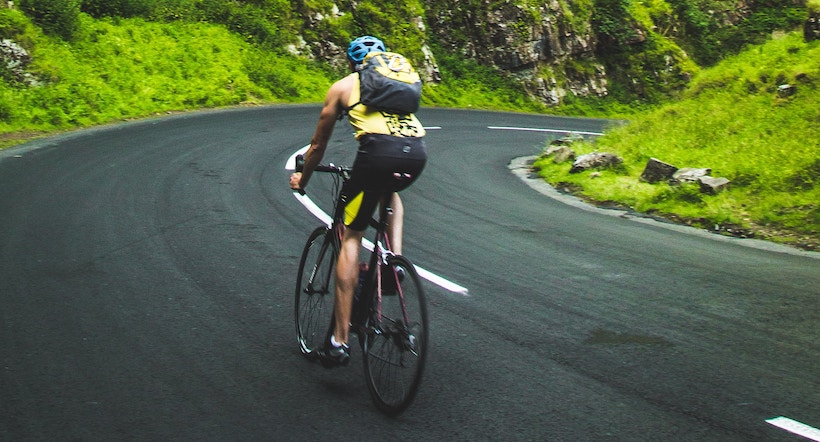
147, 271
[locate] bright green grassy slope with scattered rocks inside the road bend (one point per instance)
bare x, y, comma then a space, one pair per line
732, 120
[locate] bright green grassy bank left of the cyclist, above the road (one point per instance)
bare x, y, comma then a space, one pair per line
133, 68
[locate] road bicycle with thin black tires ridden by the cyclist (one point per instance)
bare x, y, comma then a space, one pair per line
389, 316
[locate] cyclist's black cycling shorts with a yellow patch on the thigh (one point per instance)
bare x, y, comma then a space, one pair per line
383, 163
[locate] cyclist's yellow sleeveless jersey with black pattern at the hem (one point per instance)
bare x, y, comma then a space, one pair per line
369, 121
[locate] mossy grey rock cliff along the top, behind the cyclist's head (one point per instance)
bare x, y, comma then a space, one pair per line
556, 49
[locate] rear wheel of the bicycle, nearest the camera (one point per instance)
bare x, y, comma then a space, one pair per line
393, 358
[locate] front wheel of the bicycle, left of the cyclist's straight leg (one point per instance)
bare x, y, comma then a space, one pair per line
315, 290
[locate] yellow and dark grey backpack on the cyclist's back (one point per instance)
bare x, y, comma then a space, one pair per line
387, 82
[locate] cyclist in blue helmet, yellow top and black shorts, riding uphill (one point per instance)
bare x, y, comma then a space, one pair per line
388, 144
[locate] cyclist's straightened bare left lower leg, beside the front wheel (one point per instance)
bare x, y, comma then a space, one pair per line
347, 276
